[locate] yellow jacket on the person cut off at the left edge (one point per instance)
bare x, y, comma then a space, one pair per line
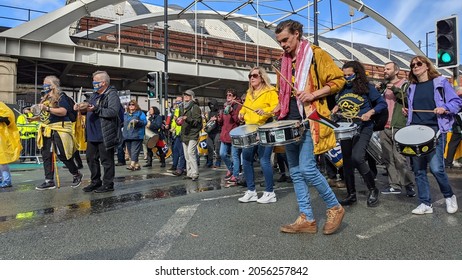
10, 144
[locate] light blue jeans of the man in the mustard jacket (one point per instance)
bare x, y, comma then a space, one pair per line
304, 171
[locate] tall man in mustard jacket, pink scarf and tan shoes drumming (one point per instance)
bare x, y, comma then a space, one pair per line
299, 68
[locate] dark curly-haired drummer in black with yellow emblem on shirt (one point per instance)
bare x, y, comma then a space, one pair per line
356, 101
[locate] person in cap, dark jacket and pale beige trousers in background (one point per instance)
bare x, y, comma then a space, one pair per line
190, 120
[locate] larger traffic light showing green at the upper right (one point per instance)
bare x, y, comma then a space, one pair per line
447, 43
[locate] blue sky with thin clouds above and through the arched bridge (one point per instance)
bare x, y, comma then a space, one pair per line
414, 17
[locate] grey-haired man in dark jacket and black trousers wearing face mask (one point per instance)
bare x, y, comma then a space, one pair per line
103, 132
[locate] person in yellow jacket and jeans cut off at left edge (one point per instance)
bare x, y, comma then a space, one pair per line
10, 145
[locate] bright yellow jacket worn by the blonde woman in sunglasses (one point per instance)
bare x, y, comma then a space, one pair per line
265, 99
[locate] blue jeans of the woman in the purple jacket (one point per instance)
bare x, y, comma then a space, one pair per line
436, 161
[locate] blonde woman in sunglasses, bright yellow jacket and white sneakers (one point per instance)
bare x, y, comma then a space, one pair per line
261, 99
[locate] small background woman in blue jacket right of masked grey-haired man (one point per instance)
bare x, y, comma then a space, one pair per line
134, 123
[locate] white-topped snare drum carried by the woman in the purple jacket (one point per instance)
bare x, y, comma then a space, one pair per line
415, 140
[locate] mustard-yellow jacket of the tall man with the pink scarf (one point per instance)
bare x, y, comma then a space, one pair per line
328, 73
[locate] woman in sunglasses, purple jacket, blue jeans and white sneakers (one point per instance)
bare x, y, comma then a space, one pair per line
431, 92
